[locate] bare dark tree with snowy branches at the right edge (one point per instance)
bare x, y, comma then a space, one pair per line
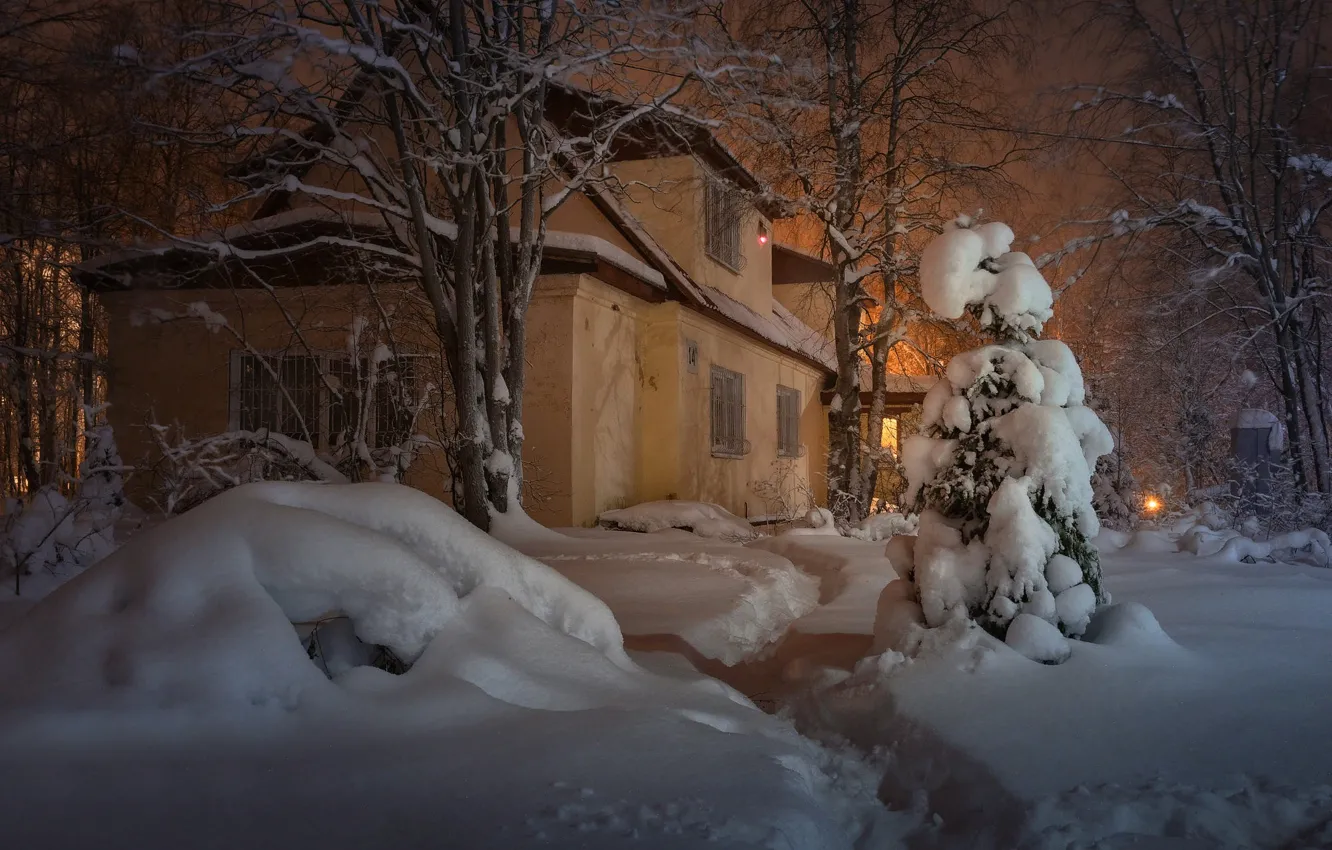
1226, 159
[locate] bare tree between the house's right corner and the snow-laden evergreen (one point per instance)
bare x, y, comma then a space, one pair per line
862, 125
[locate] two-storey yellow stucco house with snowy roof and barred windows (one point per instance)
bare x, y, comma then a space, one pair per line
664, 360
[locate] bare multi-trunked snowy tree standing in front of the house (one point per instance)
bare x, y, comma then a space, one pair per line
446, 135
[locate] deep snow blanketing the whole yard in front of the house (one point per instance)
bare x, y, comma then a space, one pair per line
165, 699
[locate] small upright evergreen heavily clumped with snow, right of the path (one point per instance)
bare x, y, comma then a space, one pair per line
1002, 471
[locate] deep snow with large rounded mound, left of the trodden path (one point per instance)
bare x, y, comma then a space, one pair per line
165, 700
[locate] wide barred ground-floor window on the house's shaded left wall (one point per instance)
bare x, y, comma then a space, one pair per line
320, 396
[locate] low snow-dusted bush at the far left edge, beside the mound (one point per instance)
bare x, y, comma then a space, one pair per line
53, 536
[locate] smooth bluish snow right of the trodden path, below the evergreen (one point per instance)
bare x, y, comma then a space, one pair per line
1211, 731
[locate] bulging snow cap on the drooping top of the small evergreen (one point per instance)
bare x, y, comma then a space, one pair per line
972, 268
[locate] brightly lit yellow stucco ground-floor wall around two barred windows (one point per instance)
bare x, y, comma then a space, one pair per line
617, 419
